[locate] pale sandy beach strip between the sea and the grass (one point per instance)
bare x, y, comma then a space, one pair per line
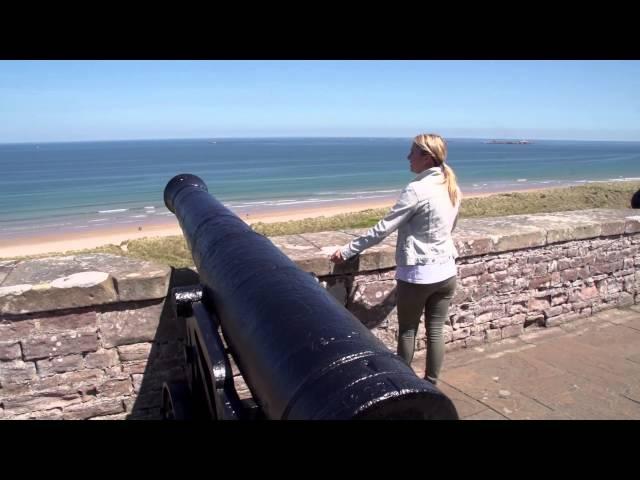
116, 235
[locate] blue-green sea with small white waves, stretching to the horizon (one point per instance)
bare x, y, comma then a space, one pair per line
59, 187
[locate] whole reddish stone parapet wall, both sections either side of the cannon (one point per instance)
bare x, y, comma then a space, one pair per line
92, 336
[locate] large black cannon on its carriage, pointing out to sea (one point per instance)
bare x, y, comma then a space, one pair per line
302, 354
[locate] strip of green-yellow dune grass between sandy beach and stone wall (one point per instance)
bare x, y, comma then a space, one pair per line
173, 250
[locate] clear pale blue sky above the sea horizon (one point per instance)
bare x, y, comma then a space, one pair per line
108, 100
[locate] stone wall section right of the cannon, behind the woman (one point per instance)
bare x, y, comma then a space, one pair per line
515, 274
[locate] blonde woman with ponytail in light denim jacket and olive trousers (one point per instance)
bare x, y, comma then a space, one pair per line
424, 215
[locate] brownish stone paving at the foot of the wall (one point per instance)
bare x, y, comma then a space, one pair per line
588, 369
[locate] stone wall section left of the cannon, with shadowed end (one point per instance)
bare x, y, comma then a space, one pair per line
85, 337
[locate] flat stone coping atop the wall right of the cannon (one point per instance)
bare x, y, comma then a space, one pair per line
473, 236
